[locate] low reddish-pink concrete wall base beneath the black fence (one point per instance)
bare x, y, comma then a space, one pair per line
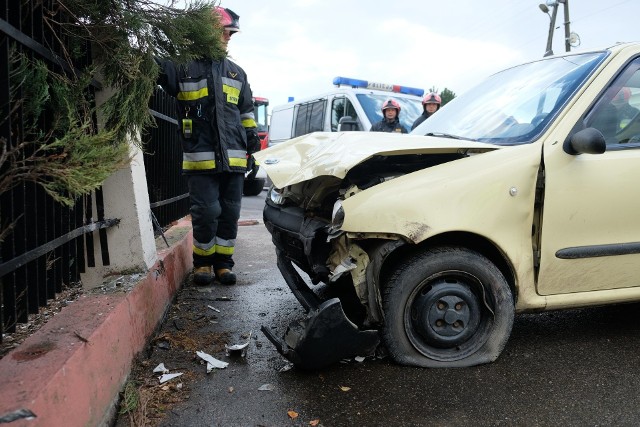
70, 372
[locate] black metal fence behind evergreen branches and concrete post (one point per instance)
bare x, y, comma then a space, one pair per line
44, 244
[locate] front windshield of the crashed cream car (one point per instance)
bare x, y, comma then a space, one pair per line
515, 105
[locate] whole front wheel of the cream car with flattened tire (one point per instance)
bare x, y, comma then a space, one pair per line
446, 307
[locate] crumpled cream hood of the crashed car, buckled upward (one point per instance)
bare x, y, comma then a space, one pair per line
335, 153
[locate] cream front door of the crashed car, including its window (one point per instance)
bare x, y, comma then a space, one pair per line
590, 236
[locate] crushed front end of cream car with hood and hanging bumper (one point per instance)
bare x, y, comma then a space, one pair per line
303, 216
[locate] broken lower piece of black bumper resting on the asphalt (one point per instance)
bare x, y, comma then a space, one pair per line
325, 335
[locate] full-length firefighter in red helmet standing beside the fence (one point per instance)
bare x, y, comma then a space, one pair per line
217, 131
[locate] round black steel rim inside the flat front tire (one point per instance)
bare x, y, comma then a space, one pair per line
445, 317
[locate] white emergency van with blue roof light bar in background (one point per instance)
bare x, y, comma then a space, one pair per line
358, 99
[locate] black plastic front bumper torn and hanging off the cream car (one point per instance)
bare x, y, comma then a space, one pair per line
325, 335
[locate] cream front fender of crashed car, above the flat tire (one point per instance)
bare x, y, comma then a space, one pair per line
488, 194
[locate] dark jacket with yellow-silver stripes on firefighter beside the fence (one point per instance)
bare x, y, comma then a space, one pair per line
216, 123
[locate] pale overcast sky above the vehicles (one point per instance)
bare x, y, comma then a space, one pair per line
296, 47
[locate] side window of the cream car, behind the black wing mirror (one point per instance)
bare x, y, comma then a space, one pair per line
616, 114
